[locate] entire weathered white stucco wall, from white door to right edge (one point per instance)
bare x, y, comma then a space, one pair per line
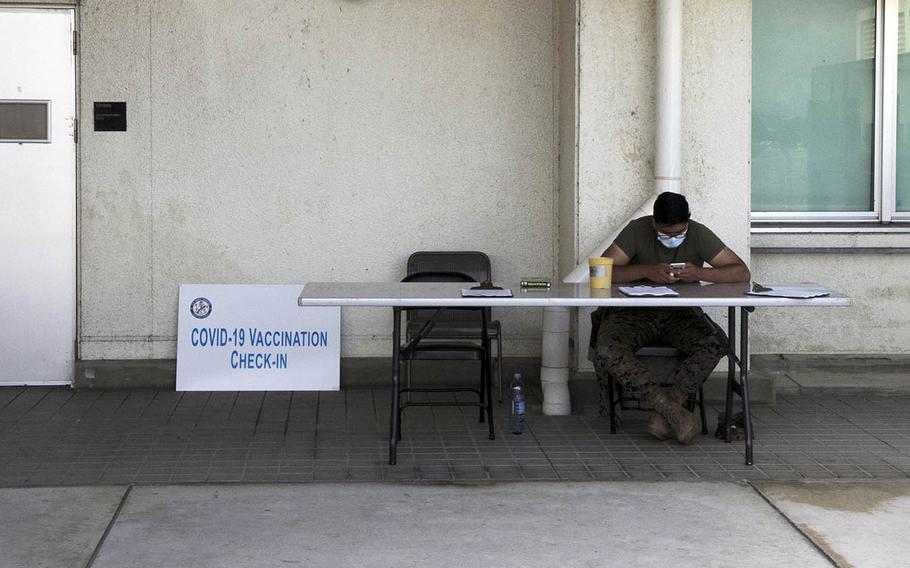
272, 142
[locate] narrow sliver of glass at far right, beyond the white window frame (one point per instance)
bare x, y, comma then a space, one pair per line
903, 108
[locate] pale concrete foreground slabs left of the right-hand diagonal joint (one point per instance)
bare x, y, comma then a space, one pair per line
370, 524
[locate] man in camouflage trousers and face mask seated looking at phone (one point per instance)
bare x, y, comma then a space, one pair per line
643, 251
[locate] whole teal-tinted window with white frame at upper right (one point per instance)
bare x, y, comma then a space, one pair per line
830, 108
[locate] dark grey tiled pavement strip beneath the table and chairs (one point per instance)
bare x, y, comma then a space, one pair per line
57, 436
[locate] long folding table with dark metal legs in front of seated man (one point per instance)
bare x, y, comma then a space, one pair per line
445, 294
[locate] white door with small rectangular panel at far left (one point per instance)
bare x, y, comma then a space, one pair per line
37, 196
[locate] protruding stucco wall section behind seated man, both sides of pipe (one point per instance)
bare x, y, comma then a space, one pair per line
617, 114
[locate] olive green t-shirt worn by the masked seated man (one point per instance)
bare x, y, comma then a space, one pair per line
639, 241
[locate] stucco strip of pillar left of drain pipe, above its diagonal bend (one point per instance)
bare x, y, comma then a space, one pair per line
616, 115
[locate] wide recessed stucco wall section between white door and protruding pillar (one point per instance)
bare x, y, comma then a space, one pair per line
281, 142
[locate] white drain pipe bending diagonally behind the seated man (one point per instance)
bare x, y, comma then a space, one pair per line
554, 371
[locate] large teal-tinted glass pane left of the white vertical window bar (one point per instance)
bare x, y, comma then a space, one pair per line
813, 105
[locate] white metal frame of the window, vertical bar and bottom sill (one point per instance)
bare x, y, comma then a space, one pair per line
884, 183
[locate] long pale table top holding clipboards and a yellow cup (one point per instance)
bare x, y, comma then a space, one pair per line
429, 294
